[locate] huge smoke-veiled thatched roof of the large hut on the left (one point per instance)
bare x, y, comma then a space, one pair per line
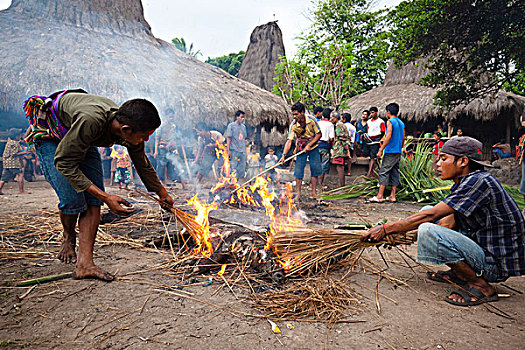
50, 44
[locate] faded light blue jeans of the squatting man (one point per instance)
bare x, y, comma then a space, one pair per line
440, 245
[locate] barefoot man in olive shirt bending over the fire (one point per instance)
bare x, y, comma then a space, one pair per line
65, 128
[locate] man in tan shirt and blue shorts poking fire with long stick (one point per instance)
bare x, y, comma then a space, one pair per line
306, 133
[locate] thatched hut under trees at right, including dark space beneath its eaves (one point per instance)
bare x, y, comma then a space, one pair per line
490, 119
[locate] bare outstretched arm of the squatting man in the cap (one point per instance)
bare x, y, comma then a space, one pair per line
412, 222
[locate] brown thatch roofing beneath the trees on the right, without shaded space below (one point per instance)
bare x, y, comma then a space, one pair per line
417, 102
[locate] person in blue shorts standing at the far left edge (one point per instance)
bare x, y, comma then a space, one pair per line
12, 158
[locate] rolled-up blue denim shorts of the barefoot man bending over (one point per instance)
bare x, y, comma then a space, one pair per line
70, 201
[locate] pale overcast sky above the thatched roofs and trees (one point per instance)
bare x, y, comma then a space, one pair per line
218, 28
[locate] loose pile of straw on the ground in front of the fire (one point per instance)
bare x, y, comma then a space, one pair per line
315, 299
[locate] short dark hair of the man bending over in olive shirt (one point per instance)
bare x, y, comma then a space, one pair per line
139, 114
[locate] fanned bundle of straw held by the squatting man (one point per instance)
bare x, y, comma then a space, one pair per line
309, 250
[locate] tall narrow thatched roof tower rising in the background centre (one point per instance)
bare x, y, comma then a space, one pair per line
264, 52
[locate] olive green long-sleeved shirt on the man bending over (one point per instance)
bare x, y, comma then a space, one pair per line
88, 119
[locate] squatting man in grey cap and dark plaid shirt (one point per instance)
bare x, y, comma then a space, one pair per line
478, 230
